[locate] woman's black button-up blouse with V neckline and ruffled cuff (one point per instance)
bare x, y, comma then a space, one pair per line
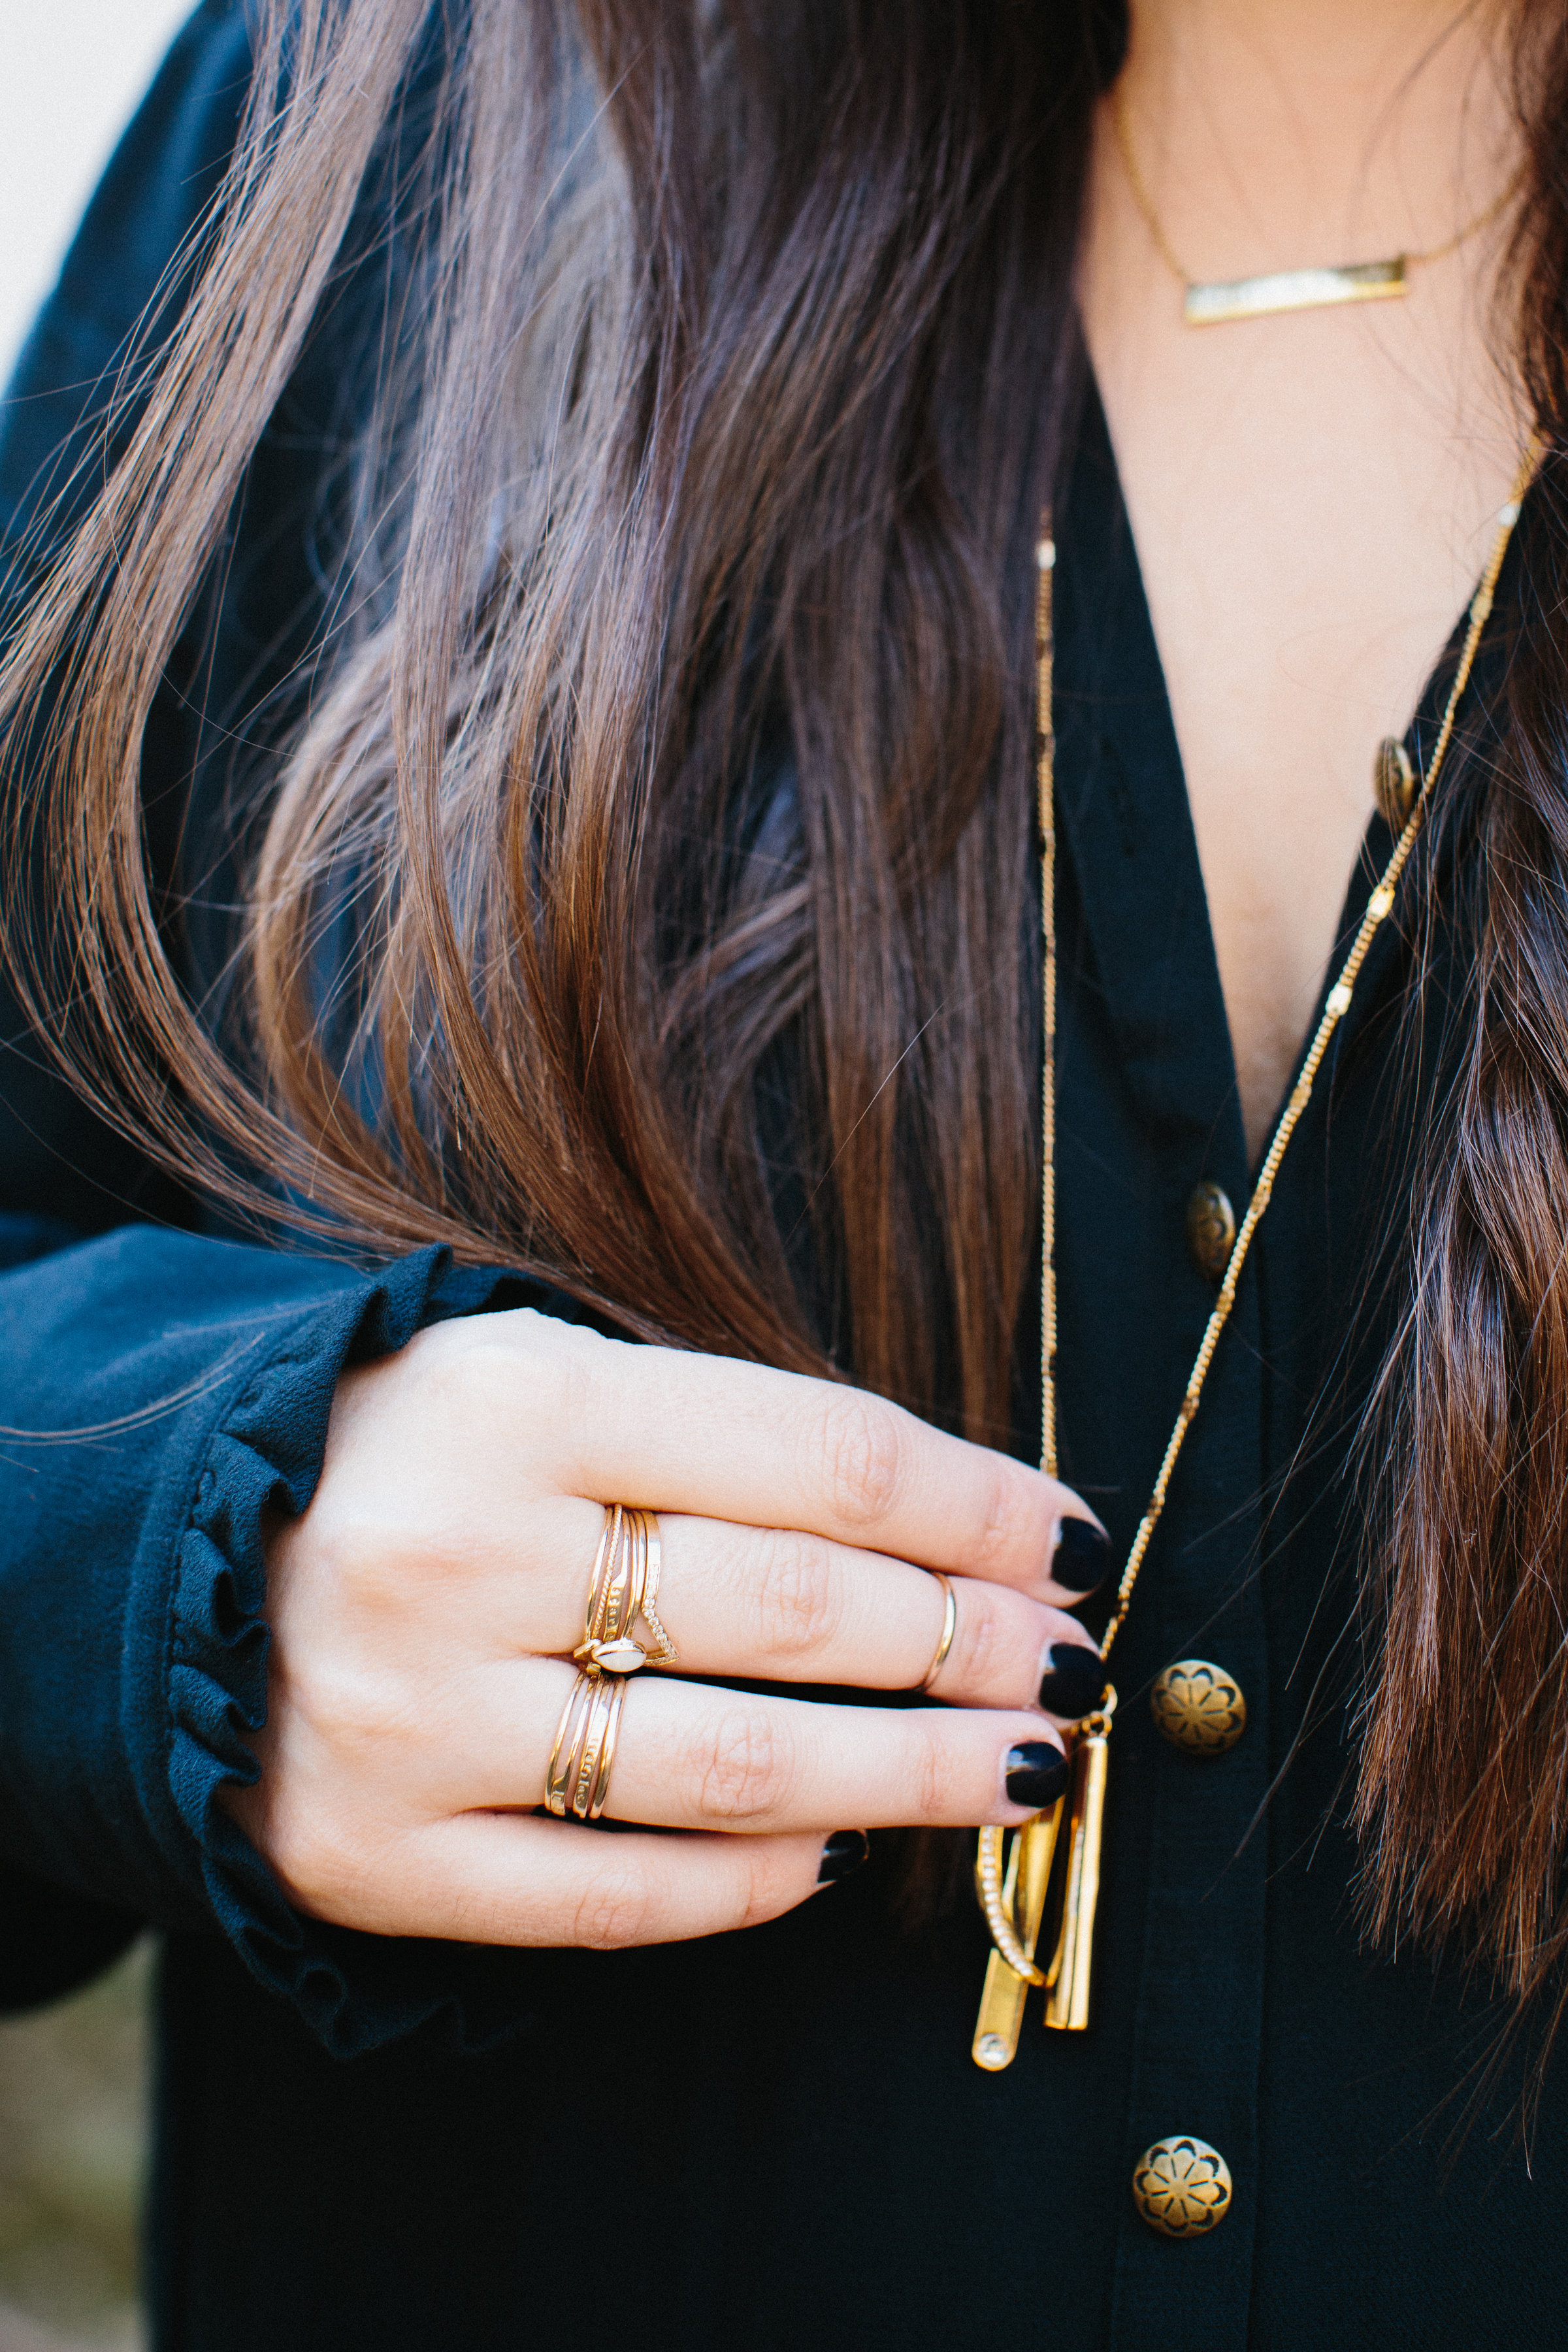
770, 2139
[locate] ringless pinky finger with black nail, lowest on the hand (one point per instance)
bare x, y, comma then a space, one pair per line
530, 1880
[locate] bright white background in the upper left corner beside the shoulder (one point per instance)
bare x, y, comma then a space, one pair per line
69, 79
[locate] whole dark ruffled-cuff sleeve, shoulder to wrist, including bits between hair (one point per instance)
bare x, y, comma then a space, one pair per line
159, 1389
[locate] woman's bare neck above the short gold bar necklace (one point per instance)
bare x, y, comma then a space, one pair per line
1278, 133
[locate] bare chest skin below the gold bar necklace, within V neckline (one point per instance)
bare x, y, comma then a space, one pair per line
1313, 500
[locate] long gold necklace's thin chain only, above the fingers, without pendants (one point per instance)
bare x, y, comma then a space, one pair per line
1336, 1005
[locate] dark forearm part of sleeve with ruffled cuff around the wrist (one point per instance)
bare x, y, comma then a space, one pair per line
159, 1396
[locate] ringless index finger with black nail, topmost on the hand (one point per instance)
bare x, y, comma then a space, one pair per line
732, 1441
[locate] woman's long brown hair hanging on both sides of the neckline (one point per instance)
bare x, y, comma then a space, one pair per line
732, 354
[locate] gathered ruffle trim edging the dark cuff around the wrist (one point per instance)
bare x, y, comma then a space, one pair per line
354, 1991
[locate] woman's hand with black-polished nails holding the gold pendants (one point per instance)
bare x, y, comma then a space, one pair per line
427, 1605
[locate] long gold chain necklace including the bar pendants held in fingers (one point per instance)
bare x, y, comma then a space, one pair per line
1014, 1887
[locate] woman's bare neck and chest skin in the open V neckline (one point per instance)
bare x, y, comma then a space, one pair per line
1313, 497
